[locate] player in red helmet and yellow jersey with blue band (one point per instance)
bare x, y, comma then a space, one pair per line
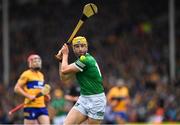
29, 85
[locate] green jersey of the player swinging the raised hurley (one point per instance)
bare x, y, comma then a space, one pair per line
89, 77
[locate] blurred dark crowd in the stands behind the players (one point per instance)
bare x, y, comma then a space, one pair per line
134, 41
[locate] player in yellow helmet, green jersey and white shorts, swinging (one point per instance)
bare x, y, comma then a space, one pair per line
91, 104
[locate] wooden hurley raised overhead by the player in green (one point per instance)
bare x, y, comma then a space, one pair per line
89, 10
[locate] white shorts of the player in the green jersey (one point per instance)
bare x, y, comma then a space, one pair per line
92, 106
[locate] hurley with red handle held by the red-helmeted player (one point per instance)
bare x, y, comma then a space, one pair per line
44, 91
